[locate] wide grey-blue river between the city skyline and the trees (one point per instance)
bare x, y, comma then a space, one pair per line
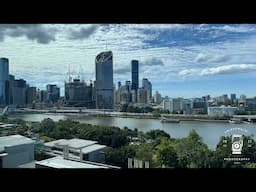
209, 131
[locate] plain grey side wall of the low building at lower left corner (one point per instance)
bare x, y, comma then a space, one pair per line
18, 155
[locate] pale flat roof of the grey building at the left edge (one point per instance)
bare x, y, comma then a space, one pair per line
13, 140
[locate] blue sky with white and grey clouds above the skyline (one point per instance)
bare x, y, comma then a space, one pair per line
180, 60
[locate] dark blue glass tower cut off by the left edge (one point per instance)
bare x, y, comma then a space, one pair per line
4, 76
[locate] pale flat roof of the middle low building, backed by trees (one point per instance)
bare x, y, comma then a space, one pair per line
73, 143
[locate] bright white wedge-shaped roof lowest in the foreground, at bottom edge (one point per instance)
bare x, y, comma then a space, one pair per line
59, 162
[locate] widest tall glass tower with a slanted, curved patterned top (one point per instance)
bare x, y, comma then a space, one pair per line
104, 80
